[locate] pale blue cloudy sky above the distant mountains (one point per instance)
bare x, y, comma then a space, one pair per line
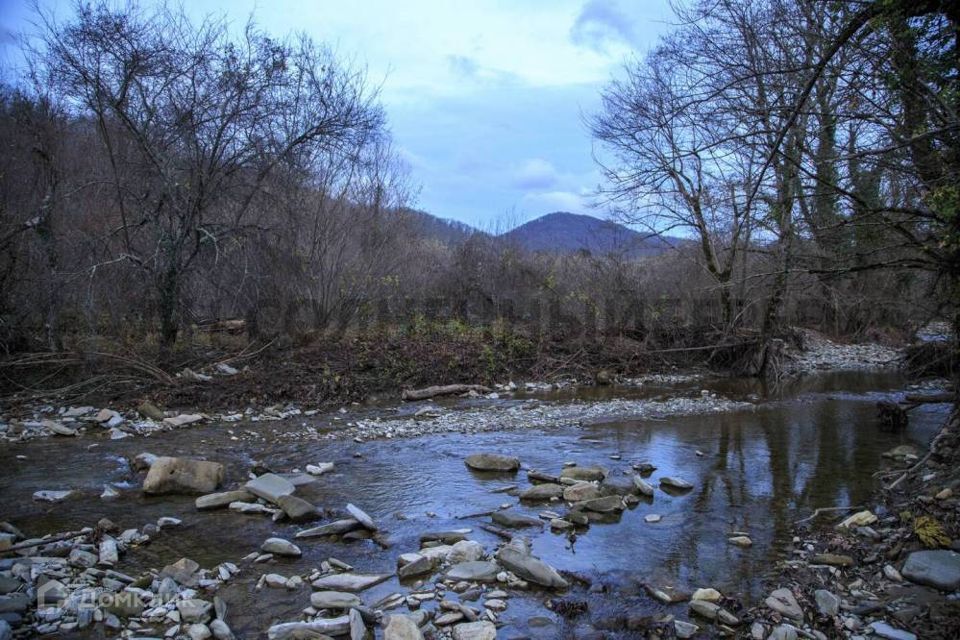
486, 99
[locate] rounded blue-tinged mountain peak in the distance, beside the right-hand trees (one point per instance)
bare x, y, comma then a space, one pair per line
563, 232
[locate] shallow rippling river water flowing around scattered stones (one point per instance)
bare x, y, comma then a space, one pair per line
812, 444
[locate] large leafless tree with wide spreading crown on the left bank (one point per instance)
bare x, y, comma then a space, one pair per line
195, 124
